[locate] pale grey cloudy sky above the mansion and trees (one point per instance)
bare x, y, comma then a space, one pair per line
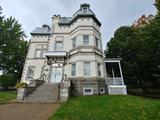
111, 13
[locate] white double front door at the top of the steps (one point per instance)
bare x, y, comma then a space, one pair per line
56, 75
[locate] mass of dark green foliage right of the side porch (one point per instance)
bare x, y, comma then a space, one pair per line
139, 49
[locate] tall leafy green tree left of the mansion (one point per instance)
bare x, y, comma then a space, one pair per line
13, 48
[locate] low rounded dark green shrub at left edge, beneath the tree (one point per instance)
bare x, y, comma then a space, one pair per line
7, 81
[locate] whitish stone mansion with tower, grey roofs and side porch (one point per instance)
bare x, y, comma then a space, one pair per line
71, 50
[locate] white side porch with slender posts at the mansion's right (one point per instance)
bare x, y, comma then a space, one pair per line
115, 77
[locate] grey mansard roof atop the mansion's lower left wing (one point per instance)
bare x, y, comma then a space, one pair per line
44, 30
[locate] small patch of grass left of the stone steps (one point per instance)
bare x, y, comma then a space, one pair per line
5, 96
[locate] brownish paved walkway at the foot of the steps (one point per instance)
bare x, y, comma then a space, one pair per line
20, 111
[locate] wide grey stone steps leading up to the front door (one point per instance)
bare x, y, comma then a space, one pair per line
46, 93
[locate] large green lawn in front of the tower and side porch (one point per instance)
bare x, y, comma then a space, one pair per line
109, 108
